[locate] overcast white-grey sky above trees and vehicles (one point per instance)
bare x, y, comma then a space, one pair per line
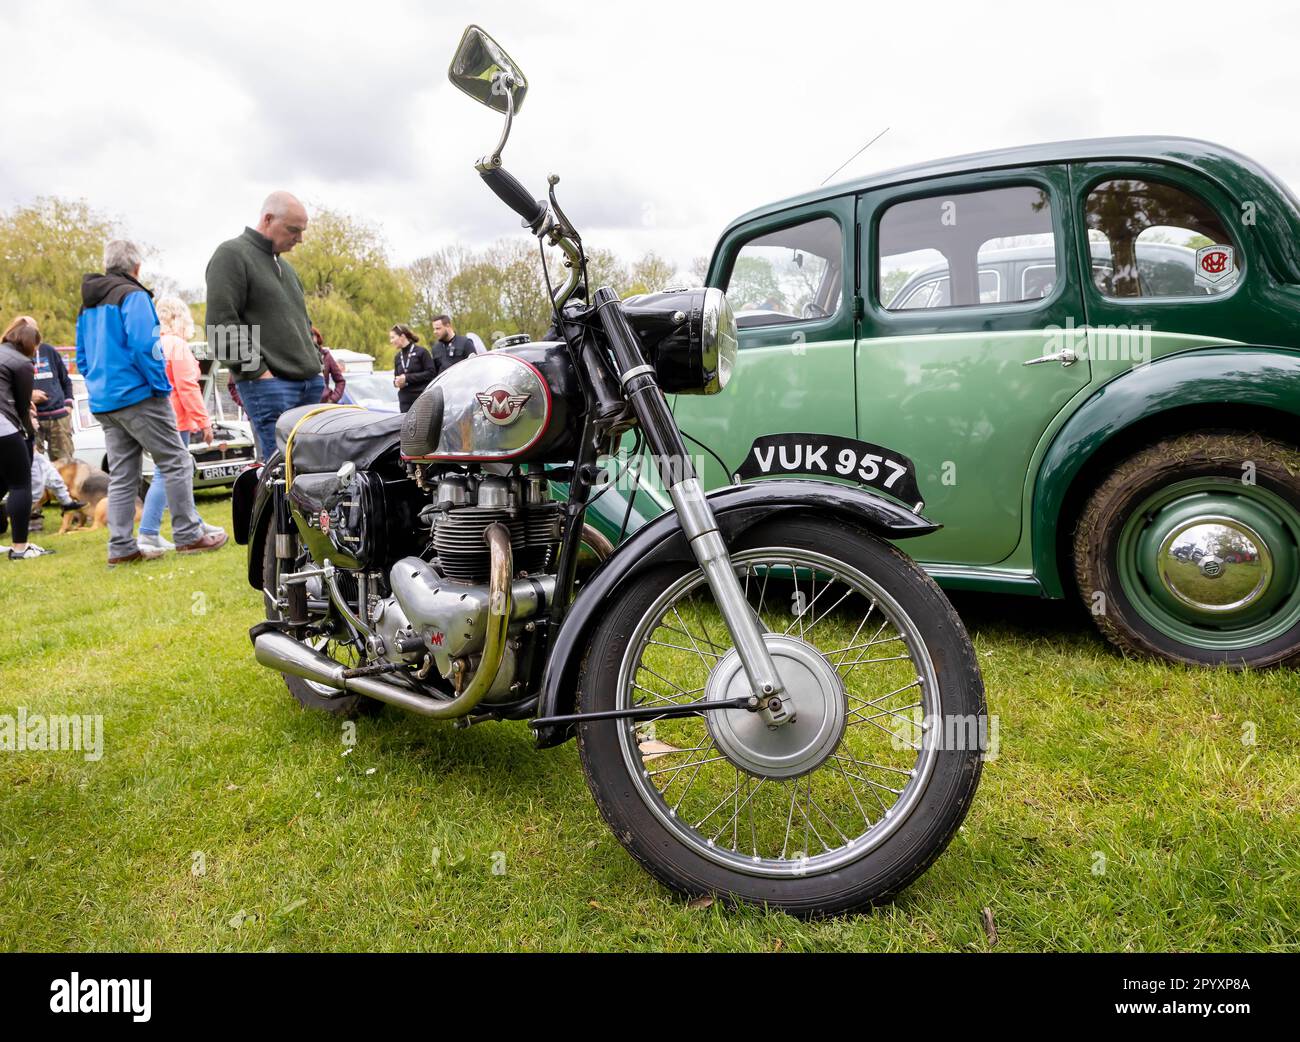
665, 120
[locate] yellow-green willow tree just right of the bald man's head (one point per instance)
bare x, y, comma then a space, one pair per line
354, 294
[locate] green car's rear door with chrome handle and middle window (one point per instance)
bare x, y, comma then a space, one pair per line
968, 385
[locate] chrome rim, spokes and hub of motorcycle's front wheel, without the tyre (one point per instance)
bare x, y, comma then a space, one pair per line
835, 793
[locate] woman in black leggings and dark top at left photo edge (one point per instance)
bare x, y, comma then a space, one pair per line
18, 349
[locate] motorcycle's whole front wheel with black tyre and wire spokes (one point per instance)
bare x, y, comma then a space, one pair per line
844, 806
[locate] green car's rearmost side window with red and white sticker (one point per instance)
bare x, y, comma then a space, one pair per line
1154, 240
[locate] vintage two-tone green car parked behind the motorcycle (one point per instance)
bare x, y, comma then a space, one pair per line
1087, 355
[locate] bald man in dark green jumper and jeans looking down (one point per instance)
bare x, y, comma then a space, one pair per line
258, 324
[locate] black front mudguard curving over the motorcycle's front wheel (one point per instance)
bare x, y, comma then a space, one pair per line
662, 541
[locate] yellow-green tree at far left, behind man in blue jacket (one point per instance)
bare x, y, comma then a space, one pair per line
45, 251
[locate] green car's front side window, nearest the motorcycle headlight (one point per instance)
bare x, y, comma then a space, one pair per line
794, 275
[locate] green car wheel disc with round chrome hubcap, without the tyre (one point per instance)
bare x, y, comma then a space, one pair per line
1214, 563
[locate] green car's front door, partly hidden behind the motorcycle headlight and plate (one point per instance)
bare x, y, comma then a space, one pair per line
790, 279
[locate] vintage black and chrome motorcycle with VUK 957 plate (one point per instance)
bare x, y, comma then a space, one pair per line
764, 689
